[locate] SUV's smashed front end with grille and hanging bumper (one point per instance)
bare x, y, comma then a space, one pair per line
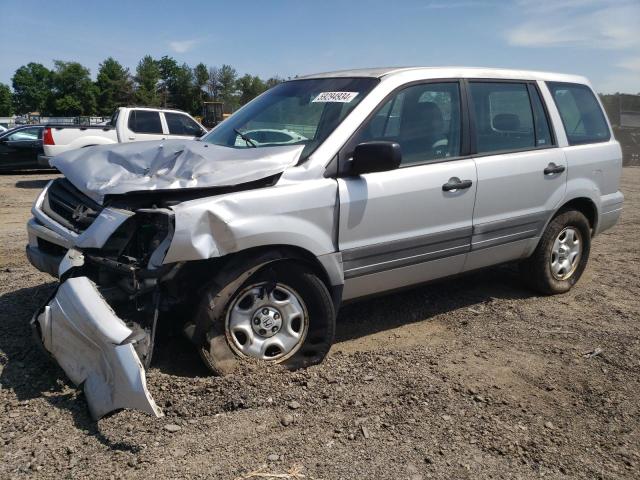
100, 325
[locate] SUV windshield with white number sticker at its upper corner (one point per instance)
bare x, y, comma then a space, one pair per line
298, 112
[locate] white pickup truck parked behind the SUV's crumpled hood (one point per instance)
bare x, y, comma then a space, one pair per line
127, 124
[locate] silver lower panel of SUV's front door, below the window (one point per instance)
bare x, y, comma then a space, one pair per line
395, 220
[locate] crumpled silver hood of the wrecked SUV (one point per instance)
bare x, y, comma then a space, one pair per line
169, 165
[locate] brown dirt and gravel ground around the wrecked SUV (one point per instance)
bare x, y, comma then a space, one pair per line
469, 378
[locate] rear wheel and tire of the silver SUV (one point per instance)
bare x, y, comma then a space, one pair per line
551, 273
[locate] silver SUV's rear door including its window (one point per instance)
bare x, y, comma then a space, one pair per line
521, 173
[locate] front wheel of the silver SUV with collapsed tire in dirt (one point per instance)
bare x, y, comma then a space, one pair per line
313, 320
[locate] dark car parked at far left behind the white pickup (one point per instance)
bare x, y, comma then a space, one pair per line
20, 147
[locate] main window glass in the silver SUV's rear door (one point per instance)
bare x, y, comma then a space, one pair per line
503, 116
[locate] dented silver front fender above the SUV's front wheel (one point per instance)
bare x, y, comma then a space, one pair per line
298, 214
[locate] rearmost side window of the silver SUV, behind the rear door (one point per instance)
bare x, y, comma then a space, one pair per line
581, 114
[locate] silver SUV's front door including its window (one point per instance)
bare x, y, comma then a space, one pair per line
413, 224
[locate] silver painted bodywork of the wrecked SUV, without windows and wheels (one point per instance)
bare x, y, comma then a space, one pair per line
371, 234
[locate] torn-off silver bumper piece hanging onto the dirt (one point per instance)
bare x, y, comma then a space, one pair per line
95, 348
